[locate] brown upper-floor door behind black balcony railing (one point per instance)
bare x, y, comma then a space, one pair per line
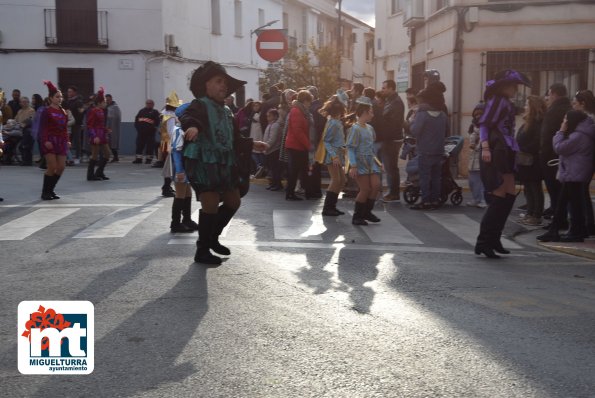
76, 22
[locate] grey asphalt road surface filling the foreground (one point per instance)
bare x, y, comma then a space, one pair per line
304, 307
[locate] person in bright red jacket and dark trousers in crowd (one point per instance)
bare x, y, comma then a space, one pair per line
297, 142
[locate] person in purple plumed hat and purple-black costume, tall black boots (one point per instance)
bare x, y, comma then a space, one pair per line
497, 164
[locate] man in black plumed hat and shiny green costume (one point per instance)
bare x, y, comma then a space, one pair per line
217, 157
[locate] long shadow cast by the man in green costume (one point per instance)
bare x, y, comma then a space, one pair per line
142, 353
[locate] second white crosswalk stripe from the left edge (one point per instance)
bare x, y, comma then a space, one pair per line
117, 224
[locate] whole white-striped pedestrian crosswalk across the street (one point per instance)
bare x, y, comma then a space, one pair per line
300, 228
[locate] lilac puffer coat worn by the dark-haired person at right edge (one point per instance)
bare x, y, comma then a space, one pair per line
575, 152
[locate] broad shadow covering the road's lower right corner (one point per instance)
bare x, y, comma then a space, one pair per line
529, 317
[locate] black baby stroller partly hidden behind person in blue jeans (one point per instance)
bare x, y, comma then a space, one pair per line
448, 186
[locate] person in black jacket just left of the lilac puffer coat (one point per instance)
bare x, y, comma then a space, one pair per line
559, 104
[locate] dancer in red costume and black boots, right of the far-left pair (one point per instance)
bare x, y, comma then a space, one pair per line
98, 138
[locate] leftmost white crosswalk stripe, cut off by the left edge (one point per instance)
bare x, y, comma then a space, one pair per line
25, 226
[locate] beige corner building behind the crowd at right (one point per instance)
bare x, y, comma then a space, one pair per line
468, 41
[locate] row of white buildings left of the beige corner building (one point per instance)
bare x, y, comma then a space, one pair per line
139, 49
